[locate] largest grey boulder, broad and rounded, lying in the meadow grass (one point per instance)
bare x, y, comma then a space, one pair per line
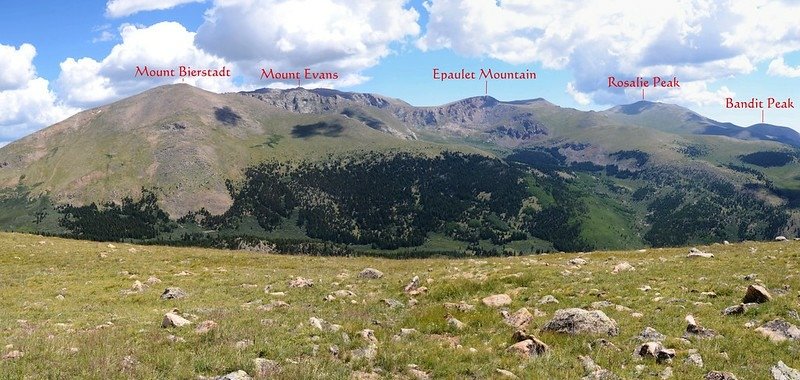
580, 321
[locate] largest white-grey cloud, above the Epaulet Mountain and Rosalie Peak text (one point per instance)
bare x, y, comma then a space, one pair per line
699, 41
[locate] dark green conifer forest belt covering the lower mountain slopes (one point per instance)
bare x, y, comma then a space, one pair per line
406, 205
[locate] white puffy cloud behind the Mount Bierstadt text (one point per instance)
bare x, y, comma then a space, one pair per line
86, 82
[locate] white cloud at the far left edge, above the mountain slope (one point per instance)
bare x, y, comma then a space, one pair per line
26, 101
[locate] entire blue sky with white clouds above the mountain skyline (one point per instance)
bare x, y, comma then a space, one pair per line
58, 58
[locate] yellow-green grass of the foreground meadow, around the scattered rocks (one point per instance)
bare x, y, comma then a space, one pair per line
63, 304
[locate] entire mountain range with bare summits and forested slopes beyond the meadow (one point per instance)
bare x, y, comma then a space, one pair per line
324, 171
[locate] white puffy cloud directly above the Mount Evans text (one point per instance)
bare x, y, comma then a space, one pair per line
346, 36
